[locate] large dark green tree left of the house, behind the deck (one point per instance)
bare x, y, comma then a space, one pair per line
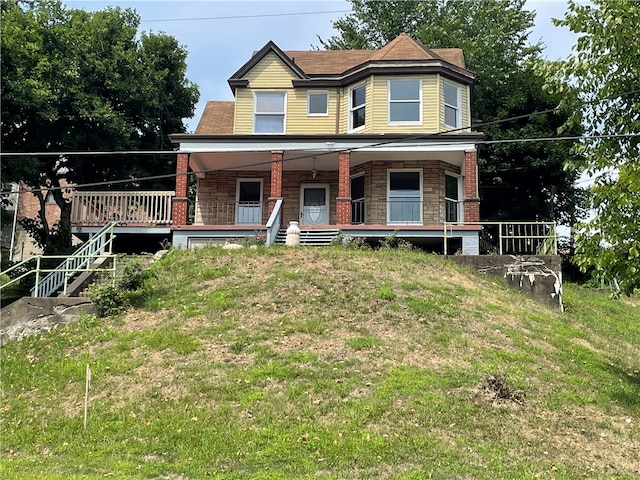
79, 81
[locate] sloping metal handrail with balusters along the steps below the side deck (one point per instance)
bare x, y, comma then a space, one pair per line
79, 261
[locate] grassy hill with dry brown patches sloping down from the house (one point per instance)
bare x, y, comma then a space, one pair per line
329, 364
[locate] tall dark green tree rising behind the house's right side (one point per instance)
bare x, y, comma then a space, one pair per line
518, 181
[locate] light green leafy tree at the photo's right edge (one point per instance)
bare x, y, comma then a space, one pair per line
605, 73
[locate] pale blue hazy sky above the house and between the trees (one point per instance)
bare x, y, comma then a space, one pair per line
220, 36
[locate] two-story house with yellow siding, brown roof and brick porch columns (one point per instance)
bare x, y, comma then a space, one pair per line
363, 141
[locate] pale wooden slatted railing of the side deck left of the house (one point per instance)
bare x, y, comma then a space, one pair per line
97, 208
